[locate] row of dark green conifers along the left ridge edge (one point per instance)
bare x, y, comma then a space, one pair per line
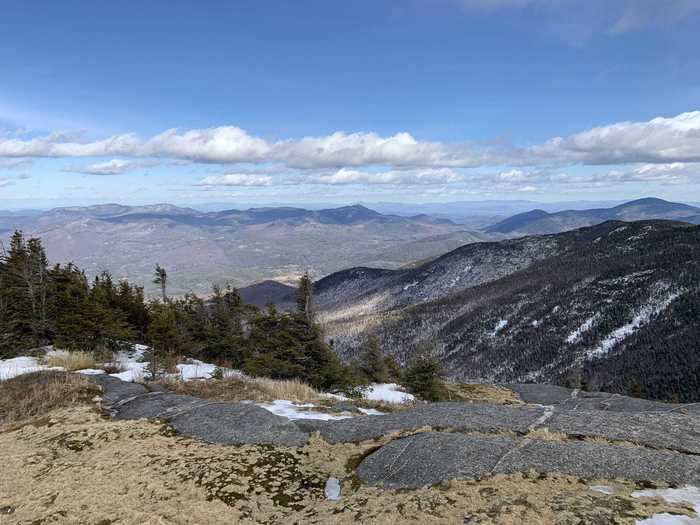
42, 304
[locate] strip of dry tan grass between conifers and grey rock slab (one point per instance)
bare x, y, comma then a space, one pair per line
248, 389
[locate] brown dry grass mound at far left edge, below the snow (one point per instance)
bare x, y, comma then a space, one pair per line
34, 395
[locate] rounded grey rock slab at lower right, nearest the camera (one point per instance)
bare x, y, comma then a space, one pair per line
429, 458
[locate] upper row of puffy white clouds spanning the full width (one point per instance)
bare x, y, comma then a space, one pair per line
661, 140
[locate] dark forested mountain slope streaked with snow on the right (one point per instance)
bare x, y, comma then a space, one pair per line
613, 306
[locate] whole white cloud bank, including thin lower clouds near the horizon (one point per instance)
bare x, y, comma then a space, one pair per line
662, 150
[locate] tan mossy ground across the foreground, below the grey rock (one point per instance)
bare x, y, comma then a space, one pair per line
75, 466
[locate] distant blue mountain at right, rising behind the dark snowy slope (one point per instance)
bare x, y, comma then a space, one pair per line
539, 221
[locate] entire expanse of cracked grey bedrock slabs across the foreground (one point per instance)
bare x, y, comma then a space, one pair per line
457, 440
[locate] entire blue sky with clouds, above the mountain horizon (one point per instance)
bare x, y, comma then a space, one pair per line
342, 102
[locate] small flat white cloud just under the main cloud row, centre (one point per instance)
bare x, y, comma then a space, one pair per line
393, 177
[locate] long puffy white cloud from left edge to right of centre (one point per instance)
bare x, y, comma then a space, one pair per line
230, 144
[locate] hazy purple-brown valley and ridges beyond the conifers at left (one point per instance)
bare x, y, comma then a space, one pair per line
240, 246
